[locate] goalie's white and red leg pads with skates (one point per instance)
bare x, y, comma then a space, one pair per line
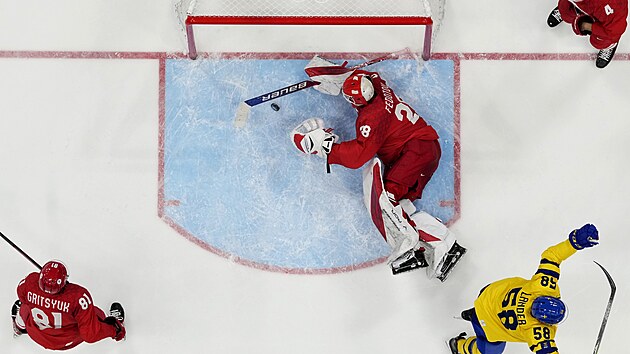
418, 240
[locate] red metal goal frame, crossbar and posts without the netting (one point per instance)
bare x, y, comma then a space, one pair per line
197, 20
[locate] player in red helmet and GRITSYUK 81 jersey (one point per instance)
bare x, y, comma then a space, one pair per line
59, 315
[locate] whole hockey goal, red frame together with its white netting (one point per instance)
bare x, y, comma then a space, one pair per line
307, 13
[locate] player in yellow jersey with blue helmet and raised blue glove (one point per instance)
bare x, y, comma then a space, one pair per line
521, 310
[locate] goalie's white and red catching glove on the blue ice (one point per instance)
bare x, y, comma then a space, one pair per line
310, 137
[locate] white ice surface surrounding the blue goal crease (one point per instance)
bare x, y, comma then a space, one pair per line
543, 141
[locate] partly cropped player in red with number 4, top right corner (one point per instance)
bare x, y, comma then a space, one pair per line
603, 20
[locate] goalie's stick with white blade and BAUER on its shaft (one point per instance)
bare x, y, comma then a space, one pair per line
244, 108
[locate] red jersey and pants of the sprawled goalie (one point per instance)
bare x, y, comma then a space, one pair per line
389, 128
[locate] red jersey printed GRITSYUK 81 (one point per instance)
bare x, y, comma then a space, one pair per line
61, 321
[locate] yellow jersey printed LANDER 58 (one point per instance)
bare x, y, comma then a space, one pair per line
504, 307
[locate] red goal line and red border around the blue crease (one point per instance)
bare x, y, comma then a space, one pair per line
161, 57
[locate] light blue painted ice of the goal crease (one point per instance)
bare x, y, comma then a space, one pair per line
249, 193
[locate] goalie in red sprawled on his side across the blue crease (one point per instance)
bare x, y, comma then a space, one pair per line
407, 154
